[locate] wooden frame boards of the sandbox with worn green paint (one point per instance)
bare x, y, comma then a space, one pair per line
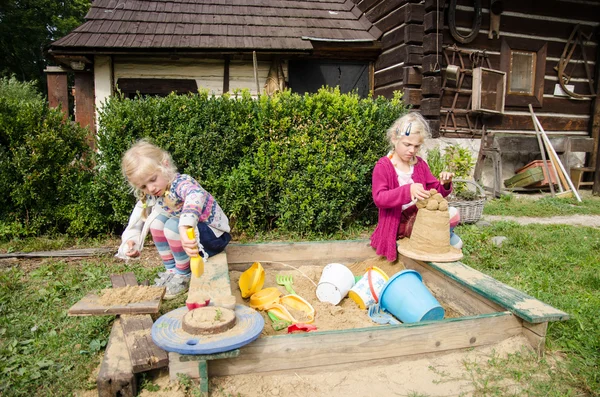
492, 312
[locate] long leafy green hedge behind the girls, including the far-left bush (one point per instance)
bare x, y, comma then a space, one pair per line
297, 163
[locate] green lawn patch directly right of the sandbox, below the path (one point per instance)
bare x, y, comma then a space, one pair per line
559, 265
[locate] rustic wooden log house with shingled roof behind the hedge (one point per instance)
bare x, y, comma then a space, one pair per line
517, 53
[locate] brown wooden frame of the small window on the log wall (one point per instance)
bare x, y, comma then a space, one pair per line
525, 45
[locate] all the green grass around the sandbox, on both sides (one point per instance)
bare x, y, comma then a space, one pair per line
560, 265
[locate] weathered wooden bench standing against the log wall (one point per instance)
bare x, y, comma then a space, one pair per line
493, 146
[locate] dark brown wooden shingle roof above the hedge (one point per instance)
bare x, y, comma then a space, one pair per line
217, 25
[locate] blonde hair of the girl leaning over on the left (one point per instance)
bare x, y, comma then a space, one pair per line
144, 159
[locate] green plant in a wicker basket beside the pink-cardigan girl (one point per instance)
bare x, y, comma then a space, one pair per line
467, 196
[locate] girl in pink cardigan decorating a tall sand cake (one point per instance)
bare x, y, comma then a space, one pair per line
399, 180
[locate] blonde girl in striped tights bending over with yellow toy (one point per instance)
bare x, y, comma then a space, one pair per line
168, 204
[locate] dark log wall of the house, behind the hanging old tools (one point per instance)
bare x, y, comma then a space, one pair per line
415, 34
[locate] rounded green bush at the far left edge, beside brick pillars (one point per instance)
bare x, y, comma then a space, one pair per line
44, 163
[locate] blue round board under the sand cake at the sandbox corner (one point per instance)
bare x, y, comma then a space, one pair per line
168, 334
